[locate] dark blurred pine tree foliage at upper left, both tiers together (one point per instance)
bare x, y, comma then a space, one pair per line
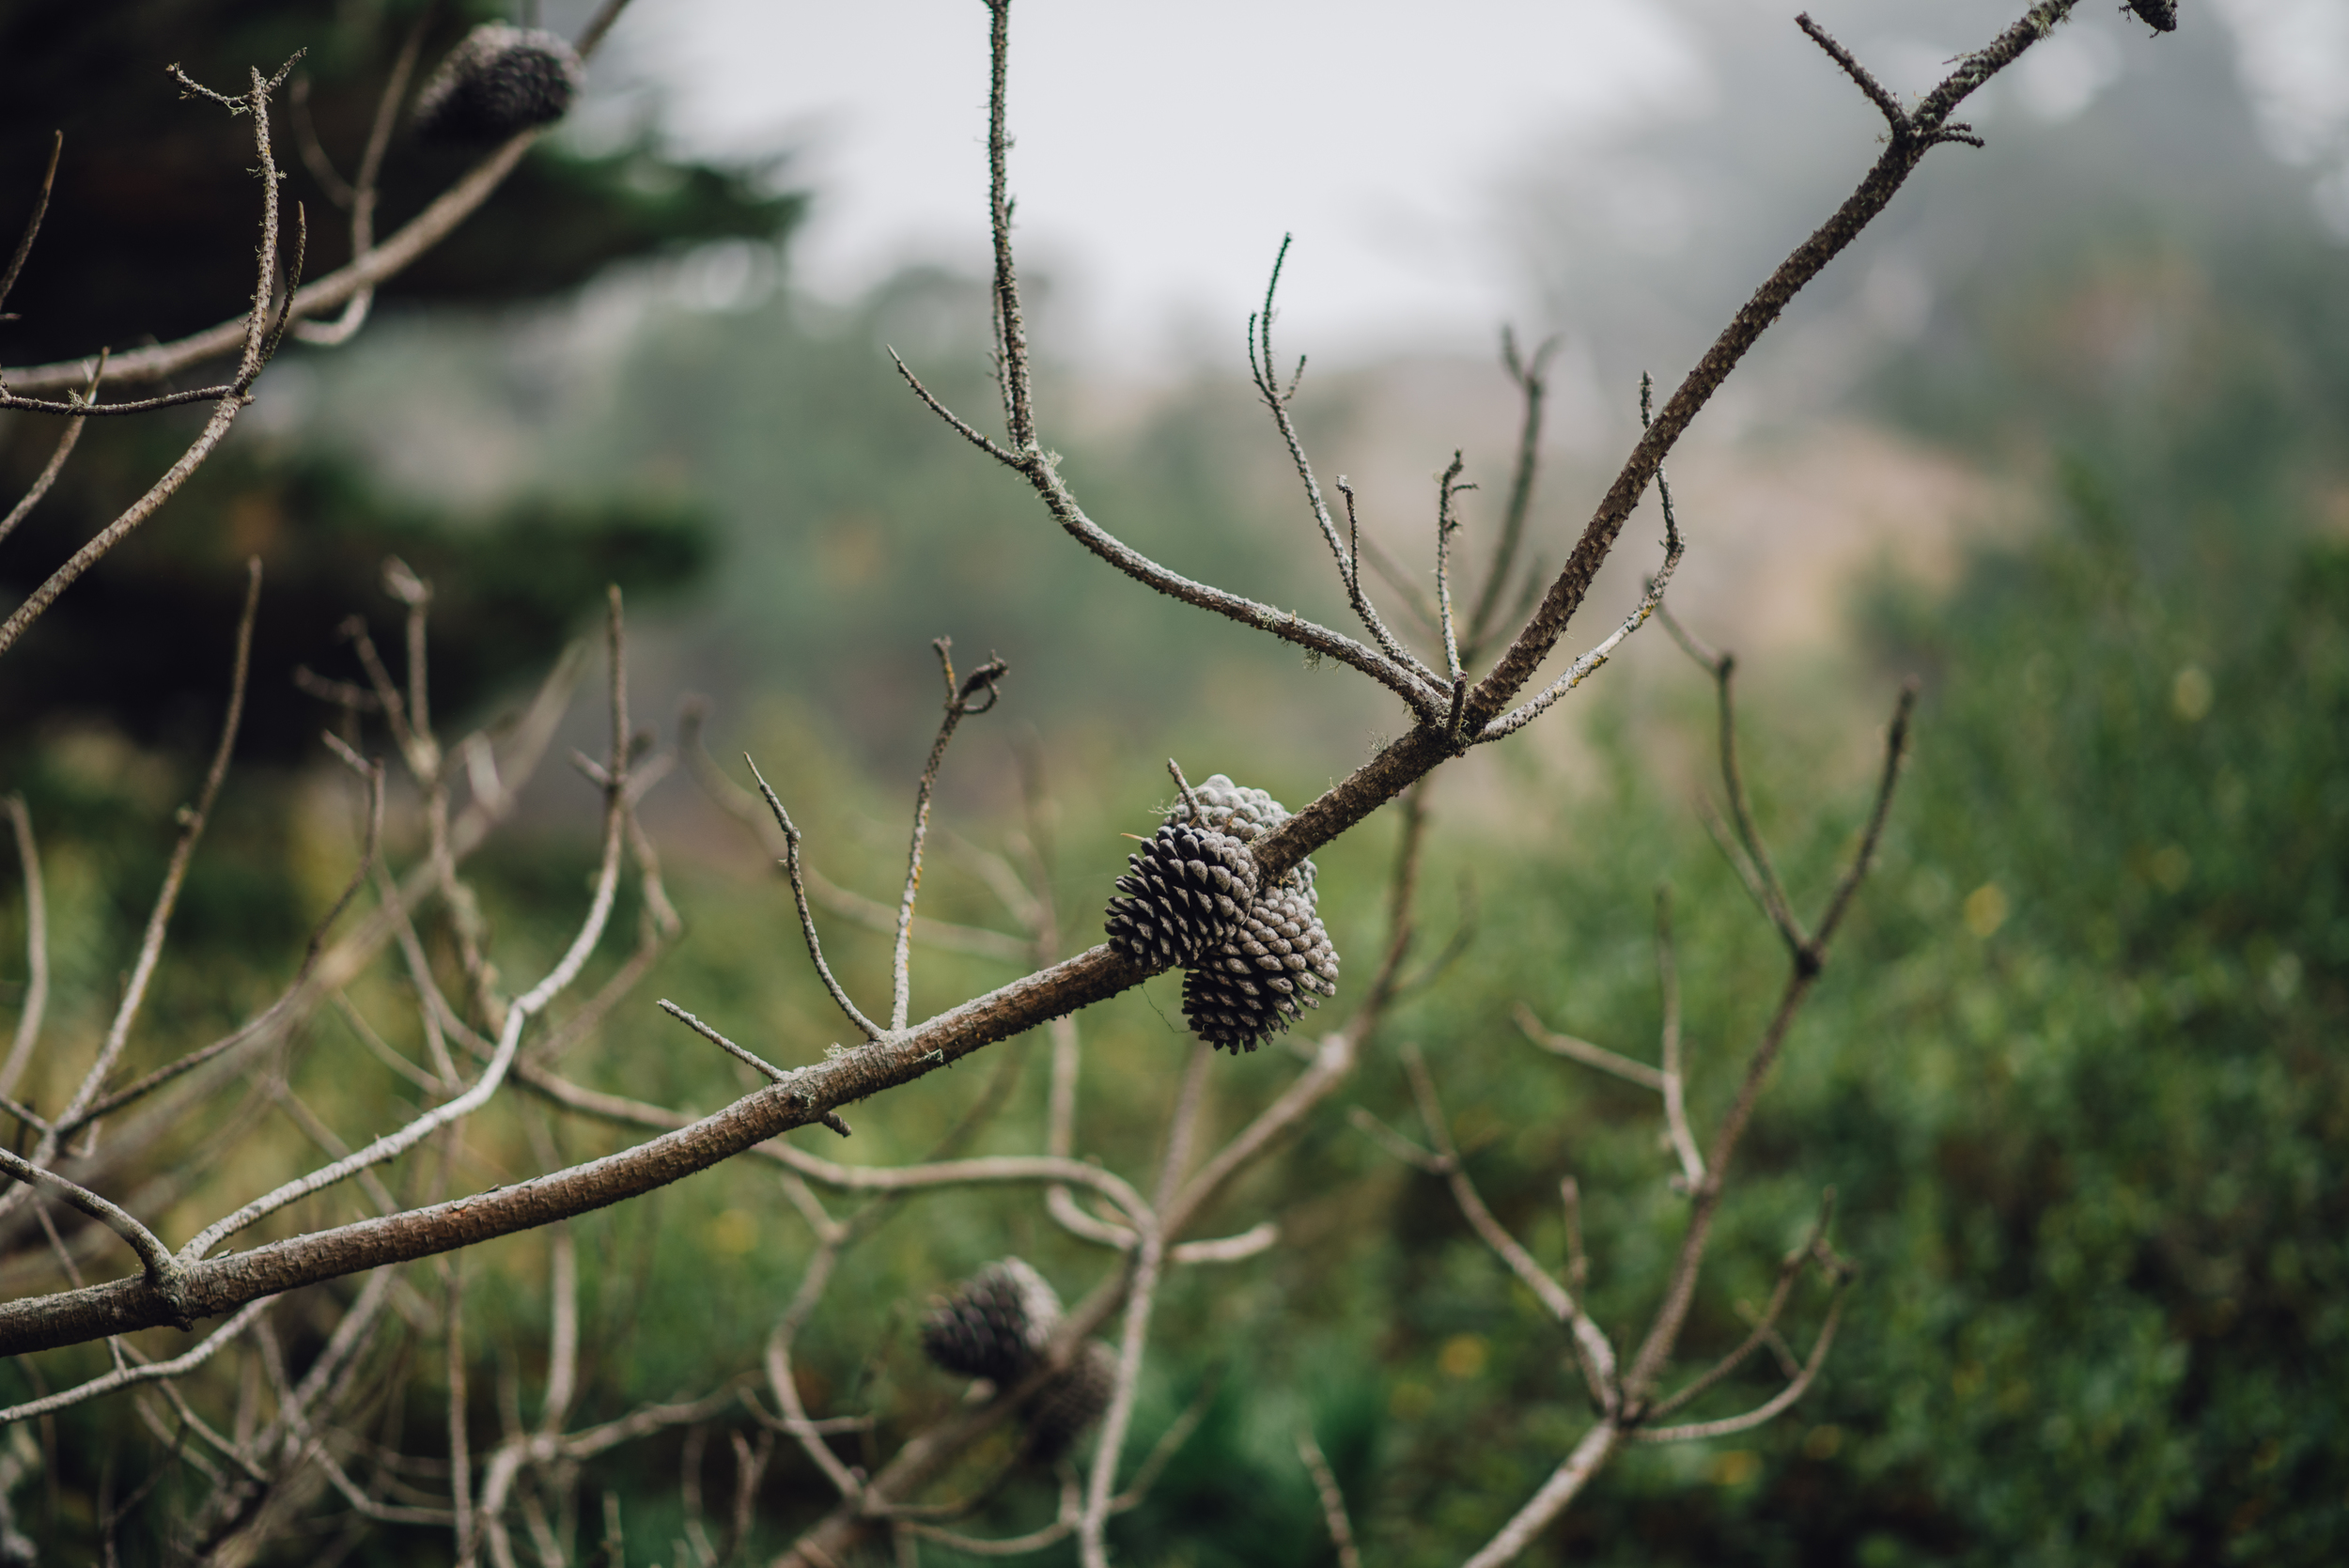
152, 236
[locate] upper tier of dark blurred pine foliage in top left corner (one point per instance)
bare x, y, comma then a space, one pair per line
147, 175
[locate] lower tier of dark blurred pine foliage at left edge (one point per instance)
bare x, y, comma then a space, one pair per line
144, 642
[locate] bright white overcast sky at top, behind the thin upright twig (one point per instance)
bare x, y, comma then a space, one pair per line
1164, 149
